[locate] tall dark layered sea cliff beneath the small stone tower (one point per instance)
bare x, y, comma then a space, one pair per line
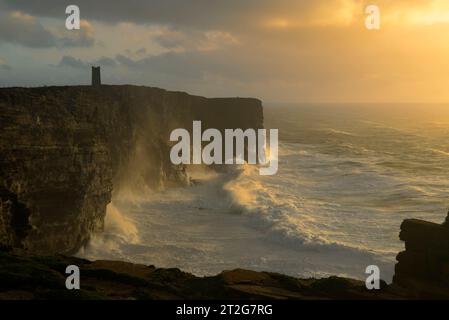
64, 150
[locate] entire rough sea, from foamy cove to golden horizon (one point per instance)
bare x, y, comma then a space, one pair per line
348, 176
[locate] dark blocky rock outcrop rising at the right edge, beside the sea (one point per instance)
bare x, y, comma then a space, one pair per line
423, 268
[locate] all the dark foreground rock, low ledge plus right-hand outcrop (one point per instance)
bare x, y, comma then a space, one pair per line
421, 273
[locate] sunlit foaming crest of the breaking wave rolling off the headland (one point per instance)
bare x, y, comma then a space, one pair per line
283, 215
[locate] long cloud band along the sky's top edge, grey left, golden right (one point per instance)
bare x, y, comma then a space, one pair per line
238, 15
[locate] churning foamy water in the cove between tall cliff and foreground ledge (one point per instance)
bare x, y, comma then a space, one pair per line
204, 229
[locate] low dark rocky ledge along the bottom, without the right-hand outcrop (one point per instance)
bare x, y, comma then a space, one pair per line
37, 277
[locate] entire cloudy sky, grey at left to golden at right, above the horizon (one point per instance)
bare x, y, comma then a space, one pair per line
275, 50
